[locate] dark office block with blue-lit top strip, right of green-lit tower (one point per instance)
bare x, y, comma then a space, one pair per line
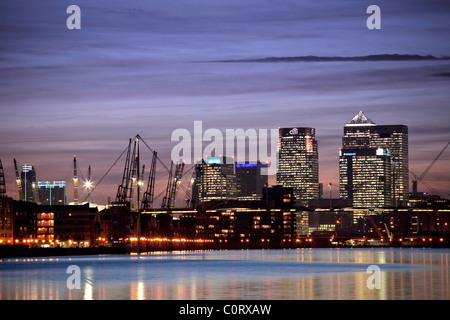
250, 181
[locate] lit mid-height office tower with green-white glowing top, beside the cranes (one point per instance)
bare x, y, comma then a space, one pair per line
215, 179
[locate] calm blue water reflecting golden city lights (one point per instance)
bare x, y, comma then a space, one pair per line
419, 273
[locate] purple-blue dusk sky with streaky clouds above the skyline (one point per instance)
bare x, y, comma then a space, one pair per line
151, 67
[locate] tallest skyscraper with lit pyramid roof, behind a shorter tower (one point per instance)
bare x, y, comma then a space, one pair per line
363, 133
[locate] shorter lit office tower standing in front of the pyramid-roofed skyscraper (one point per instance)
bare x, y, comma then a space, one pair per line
366, 177
